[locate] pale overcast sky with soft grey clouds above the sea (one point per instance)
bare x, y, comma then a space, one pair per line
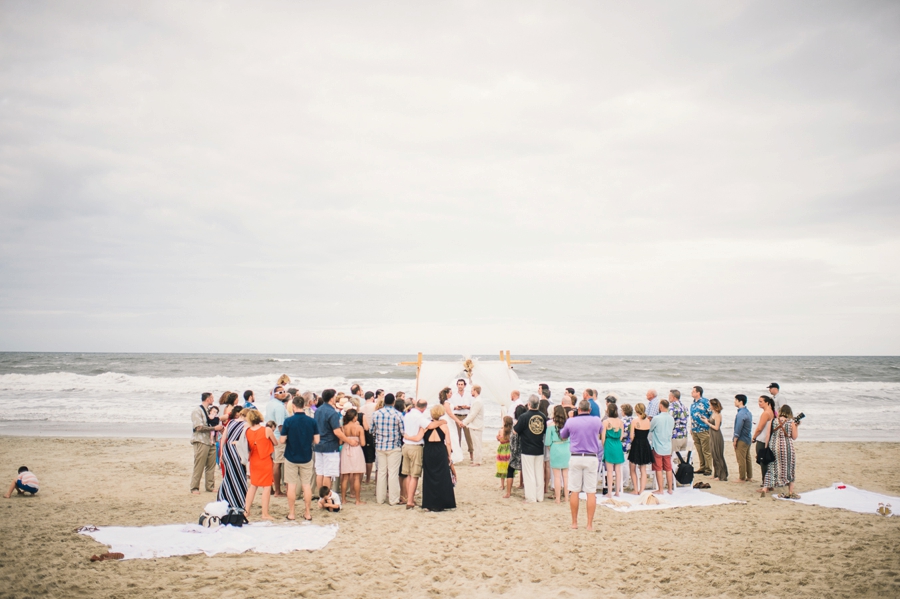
696, 178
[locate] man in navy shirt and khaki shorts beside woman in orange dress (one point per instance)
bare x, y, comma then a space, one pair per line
298, 434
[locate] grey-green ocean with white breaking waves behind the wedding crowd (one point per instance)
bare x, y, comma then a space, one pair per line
152, 395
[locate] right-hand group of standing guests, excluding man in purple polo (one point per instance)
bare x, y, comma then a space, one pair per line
644, 436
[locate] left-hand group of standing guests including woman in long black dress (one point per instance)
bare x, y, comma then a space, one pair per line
308, 441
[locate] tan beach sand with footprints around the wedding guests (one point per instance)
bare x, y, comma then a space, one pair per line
486, 547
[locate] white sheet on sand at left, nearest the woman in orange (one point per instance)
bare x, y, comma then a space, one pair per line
148, 542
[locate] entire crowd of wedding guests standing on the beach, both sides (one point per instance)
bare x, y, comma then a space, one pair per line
309, 443
